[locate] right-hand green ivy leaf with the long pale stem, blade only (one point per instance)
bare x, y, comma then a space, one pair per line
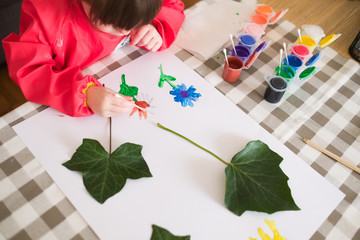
255, 181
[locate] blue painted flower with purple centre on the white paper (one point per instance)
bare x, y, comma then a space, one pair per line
185, 95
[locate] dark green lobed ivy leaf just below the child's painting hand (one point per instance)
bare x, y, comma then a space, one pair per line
105, 174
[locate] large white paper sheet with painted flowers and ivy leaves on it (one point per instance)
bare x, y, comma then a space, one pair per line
186, 193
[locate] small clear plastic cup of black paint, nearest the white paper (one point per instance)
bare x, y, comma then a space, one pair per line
276, 88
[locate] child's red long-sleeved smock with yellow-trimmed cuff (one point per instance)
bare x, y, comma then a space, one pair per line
56, 41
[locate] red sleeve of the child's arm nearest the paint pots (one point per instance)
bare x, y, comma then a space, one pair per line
169, 20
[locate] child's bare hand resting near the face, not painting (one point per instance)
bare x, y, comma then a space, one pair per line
148, 37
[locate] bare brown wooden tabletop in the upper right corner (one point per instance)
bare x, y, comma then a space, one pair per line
334, 16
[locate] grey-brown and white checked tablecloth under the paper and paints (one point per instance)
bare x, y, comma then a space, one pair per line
324, 108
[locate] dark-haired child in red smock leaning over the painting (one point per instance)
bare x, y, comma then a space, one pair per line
59, 38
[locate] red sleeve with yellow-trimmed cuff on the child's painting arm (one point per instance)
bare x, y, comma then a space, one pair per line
41, 79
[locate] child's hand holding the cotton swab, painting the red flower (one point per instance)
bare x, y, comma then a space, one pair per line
102, 101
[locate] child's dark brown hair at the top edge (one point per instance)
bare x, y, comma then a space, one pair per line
124, 14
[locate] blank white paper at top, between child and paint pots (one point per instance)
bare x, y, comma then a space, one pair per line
207, 27
